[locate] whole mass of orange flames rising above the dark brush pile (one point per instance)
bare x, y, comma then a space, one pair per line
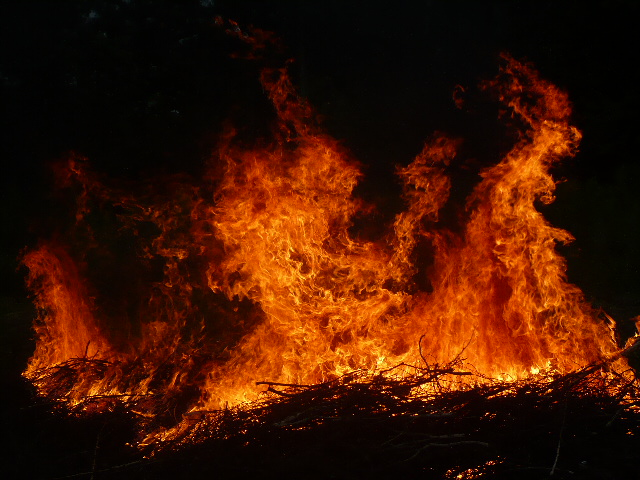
257, 274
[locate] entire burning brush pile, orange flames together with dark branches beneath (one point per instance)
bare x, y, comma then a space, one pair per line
269, 335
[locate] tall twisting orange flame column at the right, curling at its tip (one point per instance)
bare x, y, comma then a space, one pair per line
503, 286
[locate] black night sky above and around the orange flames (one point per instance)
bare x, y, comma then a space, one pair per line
142, 86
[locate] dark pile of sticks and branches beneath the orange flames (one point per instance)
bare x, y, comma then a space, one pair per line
583, 425
